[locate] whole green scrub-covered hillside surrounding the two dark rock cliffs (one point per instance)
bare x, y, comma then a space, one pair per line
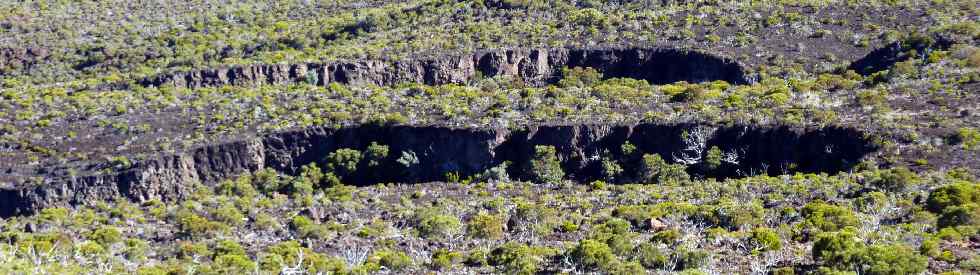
905, 72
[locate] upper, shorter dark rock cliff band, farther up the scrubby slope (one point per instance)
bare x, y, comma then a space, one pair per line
534, 66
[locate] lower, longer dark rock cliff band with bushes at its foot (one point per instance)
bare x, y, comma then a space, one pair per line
441, 150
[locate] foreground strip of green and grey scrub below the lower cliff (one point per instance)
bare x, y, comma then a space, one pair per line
269, 222
